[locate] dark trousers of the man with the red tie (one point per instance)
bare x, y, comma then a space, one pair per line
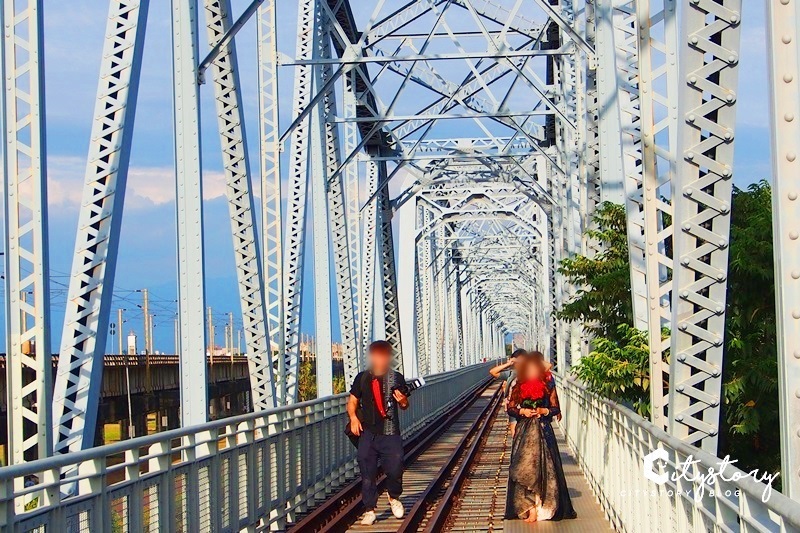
389, 450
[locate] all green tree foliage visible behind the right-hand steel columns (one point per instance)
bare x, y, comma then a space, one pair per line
618, 365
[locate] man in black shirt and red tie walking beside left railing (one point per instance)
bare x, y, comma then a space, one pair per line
374, 405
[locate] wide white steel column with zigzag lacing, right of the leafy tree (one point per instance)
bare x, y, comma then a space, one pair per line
709, 57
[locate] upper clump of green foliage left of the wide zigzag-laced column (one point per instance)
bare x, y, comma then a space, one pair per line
603, 301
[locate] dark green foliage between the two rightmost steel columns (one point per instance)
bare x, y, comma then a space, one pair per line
750, 373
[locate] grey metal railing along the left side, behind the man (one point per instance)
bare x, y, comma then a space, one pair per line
252, 472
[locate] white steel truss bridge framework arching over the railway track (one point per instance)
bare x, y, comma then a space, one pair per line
441, 157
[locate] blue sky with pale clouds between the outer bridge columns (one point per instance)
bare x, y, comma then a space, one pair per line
74, 33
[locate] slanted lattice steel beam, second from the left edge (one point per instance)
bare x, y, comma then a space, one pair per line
83, 340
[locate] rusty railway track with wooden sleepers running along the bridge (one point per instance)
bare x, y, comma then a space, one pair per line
433, 461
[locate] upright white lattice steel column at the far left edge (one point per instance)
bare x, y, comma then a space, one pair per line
24, 187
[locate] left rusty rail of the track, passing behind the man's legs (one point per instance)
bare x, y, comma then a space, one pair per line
341, 509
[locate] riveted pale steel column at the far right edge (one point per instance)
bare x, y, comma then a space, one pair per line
784, 48
